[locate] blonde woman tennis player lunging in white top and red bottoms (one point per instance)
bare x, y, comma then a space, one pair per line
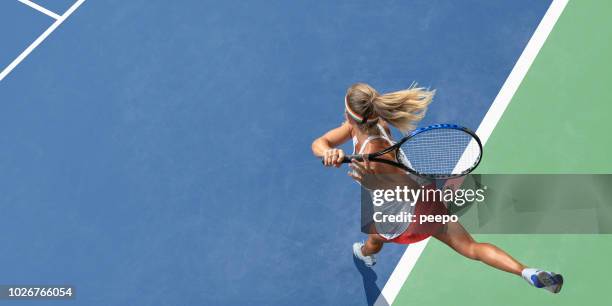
368, 116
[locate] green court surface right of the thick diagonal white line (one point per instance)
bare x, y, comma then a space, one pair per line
556, 123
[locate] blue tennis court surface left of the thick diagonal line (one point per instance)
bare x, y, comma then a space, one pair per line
159, 154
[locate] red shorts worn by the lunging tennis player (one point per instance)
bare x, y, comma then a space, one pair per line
417, 231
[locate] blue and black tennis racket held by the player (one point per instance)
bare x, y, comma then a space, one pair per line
438, 151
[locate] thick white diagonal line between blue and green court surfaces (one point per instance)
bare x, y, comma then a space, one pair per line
414, 251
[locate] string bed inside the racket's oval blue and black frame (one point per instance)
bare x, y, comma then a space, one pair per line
441, 152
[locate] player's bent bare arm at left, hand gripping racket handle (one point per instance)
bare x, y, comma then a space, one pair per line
326, 145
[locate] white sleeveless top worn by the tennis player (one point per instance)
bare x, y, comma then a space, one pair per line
387, 230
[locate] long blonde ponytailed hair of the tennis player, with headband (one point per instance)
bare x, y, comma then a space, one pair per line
403, 109
